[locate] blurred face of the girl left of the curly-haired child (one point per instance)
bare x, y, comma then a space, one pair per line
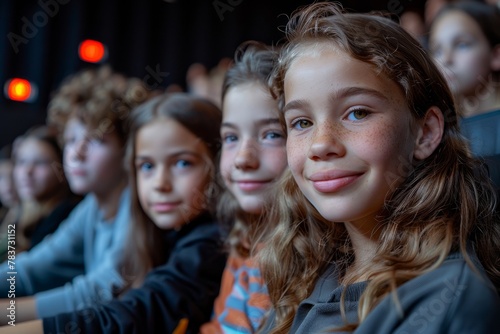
36, 170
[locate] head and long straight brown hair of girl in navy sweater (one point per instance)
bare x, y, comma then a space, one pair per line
172, 170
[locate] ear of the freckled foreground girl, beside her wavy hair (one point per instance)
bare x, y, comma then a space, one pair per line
429, 134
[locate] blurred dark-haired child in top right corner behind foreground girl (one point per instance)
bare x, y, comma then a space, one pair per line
465, 40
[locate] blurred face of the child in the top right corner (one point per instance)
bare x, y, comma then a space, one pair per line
461, 48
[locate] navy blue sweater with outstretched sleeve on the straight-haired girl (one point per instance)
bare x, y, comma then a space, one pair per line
183, 288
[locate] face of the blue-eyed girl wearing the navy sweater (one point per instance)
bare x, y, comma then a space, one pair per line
172, 171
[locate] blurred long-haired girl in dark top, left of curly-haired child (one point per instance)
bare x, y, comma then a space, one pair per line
41, 185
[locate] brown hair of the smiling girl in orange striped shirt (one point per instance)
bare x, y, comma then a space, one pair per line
253, 63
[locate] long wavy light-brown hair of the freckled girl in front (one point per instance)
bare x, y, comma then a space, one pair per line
445, 203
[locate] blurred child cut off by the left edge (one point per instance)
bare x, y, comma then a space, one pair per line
10, 209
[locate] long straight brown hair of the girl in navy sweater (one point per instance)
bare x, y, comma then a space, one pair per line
146, 244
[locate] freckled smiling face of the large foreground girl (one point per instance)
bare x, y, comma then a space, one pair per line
350, 135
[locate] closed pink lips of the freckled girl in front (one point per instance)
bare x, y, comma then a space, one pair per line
333, 181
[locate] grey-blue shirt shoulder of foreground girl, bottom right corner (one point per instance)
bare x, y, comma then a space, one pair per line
453, 298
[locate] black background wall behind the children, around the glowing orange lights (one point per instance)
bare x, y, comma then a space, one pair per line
40, 38
